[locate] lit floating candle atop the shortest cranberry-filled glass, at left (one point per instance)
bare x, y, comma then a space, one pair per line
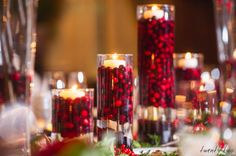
72, 93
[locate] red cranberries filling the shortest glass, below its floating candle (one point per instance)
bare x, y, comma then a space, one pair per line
72, 117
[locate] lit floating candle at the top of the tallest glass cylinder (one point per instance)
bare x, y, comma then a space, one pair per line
154, 12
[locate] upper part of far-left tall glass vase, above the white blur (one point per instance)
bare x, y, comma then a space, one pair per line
18, 47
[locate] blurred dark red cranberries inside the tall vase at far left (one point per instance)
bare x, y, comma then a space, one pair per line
19, 85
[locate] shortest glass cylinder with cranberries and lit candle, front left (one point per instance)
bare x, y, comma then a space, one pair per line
72, 113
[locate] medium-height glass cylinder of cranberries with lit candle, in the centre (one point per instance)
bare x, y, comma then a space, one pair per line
115, 96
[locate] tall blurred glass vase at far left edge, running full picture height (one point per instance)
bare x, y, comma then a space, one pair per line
18, 46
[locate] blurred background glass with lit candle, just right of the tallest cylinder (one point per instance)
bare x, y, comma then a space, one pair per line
188, 70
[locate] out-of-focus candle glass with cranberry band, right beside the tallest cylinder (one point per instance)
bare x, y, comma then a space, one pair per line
188, 69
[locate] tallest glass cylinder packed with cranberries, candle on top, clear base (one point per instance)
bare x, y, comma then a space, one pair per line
155, 69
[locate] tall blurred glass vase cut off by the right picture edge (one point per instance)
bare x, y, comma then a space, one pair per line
224, 18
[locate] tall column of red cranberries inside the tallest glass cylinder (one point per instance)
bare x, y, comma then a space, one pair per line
155, 61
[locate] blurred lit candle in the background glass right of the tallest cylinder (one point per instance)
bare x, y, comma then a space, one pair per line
188, 61
